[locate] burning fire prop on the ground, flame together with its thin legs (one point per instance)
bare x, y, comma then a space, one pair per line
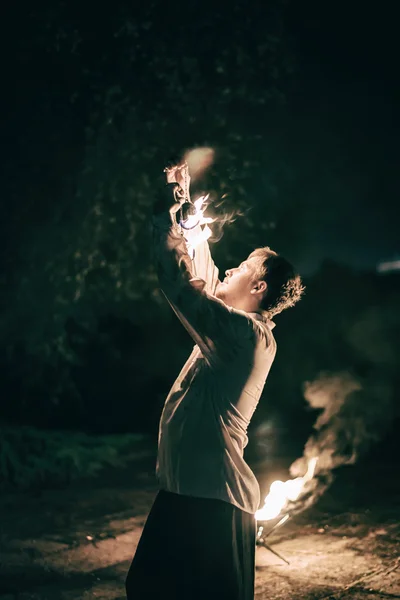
281, 495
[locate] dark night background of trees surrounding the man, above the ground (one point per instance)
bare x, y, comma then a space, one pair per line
299, 101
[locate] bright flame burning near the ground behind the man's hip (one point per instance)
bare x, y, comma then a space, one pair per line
282, 492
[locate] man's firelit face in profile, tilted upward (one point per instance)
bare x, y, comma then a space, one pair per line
238, 283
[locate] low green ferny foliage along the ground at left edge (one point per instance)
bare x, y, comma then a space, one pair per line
33, 458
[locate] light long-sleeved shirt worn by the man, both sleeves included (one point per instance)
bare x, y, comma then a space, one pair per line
203, 426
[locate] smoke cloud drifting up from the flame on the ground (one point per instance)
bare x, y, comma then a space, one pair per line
355, 413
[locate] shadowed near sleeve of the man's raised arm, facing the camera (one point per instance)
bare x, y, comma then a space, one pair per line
215, 327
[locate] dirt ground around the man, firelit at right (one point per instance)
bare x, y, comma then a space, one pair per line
78, 543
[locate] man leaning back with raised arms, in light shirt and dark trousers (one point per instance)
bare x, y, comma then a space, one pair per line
199, 538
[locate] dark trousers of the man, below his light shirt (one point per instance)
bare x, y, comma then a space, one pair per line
192, 549
